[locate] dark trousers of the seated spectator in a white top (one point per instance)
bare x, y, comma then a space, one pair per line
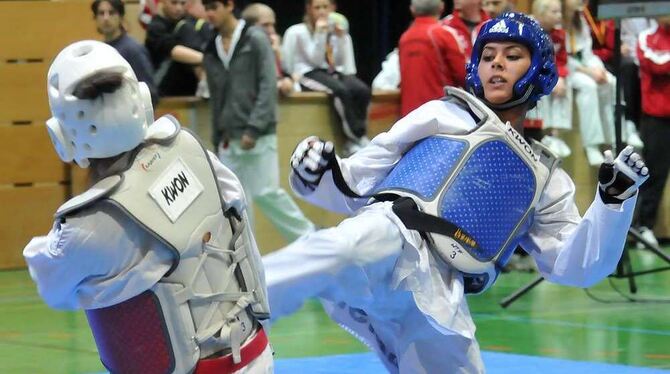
351, 98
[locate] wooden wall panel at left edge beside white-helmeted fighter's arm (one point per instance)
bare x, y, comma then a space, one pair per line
26, 212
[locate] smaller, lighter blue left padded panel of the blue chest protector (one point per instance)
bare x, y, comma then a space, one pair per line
425, 167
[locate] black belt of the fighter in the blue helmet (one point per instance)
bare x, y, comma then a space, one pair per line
406, 209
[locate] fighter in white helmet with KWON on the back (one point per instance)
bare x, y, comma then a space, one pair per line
158, 251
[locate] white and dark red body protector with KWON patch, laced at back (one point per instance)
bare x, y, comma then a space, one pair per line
211, 299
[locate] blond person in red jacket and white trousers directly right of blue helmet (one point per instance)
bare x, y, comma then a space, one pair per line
555, 110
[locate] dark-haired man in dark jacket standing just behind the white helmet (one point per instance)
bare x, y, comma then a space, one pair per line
108, 16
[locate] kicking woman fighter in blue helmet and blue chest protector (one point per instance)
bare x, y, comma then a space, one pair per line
444, 197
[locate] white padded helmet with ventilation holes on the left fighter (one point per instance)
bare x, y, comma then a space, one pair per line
106, 126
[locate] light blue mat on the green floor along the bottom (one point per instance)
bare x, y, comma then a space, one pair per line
496, 363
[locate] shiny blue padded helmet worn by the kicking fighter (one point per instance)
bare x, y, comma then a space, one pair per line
541, 76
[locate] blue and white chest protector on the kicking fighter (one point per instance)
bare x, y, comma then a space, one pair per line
485, 184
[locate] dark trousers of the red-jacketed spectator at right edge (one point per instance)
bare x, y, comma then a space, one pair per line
655, 132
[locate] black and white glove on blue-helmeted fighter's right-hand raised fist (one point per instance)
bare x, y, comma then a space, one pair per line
619, 179
